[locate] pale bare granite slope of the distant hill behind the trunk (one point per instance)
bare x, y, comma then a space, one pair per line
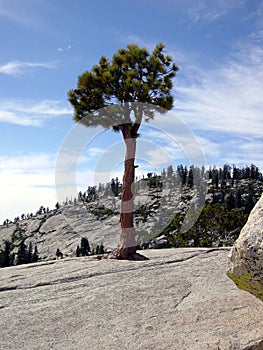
98, 220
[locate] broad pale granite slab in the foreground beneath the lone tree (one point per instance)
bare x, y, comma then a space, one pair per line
180, 299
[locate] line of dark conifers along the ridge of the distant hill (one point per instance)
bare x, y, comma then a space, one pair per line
218, 179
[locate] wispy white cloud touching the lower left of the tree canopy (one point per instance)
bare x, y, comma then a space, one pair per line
31, 113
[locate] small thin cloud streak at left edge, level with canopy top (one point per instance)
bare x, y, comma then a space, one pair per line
17, 67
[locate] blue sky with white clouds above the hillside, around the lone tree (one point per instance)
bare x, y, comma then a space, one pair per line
46, 44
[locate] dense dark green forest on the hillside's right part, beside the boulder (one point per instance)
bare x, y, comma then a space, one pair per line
232, 193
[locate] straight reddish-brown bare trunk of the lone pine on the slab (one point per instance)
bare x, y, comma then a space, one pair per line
127, 249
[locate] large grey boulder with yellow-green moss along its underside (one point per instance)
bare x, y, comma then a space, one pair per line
245, 263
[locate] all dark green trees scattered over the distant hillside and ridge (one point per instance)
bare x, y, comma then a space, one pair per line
231, 194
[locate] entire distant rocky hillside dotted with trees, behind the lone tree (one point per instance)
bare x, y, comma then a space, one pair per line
162, 204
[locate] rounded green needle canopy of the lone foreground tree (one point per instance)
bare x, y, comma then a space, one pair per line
132, 76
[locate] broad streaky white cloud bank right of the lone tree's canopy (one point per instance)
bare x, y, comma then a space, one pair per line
224, 105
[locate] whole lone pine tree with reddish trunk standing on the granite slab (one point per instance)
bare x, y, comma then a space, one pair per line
133, 80
